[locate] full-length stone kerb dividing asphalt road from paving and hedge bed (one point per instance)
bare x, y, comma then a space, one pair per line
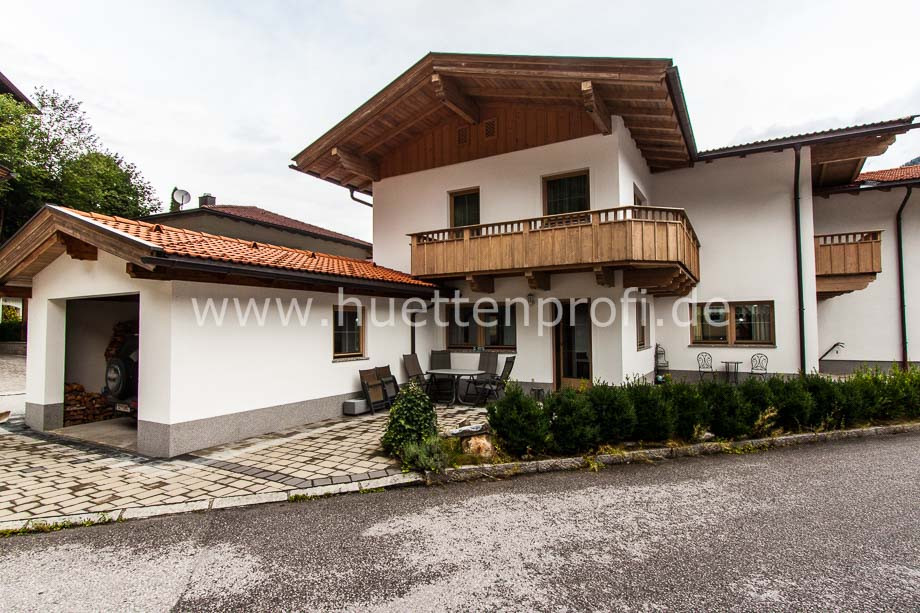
463, 473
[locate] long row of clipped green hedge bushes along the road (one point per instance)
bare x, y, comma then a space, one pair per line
579, 421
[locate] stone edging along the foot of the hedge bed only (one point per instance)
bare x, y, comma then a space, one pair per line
510, 469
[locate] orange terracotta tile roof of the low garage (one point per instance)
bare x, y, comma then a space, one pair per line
195, 244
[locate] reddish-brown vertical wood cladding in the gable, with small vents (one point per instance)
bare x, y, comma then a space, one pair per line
517, 126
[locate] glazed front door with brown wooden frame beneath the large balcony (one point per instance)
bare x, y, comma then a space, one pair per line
572, 336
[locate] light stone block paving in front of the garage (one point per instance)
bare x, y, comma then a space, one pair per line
41, 476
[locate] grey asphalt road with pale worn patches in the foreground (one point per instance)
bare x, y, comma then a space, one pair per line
831, 526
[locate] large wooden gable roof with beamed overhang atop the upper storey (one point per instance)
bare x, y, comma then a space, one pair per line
450, 108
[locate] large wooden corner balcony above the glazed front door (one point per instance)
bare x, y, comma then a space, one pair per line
656, 248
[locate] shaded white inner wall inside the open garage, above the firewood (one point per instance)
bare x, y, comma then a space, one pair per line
89, 330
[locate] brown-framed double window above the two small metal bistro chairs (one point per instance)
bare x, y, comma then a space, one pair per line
735, 323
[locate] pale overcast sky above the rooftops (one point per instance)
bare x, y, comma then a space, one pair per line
218, 96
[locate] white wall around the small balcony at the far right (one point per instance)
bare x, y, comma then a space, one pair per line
868, 321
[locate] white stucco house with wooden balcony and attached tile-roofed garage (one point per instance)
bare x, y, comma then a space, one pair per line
569, 192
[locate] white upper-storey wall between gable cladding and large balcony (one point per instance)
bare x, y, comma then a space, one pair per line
510, 188
